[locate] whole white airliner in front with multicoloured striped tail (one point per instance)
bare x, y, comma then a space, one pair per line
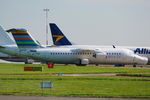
29, 48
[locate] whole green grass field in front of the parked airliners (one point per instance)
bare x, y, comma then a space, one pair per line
14, 81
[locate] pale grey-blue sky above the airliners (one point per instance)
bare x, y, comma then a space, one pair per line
94, 22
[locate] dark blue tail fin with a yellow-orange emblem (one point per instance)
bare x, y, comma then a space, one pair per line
58, 37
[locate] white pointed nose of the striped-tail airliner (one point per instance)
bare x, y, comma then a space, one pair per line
141, 60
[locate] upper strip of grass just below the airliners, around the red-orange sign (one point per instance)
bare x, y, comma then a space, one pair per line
18, 69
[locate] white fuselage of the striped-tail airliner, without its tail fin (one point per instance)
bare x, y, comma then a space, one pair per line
63, 55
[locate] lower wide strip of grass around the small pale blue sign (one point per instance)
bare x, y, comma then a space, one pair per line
77, 86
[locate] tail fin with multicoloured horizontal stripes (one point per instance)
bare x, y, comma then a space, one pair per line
23, 38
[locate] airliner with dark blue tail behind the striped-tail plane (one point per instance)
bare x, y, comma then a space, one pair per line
59, 39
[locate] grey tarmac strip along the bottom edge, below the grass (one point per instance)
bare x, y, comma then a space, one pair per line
9, 97
